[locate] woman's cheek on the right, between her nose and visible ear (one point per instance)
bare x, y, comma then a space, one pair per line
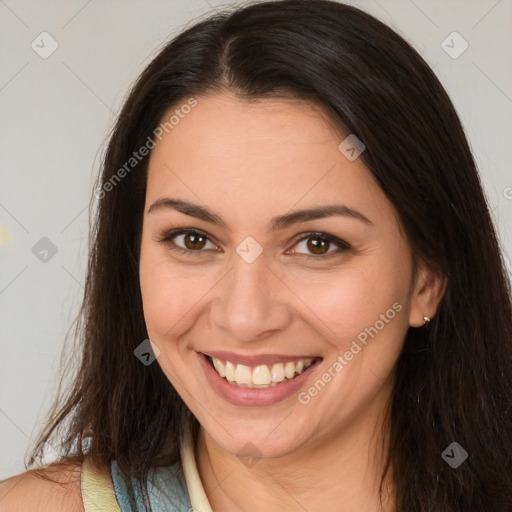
362, 308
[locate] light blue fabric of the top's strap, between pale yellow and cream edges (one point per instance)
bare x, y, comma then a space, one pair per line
166, 488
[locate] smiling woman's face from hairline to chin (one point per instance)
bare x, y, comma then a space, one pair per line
250, 278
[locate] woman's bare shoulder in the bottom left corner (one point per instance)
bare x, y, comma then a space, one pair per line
53, 488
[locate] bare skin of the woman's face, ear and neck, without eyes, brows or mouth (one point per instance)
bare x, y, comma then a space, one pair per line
249, 161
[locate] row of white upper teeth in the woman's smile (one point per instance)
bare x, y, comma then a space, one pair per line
261, 376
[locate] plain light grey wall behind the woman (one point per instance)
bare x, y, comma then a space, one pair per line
57, 112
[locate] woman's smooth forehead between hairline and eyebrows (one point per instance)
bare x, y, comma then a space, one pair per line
269, 154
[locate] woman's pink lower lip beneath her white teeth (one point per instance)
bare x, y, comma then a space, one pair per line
253, 396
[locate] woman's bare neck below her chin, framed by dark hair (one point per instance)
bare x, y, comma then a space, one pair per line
340, 473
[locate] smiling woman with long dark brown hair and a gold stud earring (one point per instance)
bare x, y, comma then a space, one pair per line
290, 212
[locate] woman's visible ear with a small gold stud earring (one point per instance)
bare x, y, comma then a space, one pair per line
428, 290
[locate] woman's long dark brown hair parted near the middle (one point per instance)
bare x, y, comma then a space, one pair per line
454, 378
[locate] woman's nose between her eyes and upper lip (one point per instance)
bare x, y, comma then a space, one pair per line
251, 302
